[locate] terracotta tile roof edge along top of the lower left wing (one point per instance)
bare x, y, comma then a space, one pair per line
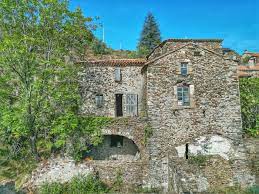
117, 62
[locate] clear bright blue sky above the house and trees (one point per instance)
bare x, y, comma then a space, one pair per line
235, 21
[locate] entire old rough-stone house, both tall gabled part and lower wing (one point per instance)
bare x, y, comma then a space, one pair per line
163, 133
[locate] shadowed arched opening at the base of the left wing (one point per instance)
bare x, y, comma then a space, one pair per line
116, 147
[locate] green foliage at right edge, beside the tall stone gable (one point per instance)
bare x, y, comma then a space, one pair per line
249, 96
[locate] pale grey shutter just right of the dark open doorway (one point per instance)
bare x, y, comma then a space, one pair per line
131, 104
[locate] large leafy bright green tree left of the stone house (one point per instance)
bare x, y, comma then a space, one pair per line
39, 91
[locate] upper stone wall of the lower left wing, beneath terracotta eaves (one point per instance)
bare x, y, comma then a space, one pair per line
100, 79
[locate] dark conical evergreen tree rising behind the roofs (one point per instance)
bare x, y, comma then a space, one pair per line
150, 35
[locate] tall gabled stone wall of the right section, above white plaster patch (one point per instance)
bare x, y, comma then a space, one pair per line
215, 110
